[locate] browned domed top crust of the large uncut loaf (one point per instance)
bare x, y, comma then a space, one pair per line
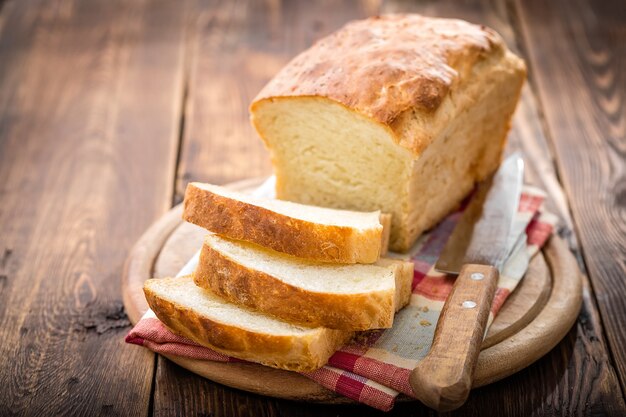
385, 65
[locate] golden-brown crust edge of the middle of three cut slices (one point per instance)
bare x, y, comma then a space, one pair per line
263, 292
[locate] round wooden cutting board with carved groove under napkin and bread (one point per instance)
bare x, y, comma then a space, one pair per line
532, 321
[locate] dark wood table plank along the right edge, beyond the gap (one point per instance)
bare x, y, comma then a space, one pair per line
578, 64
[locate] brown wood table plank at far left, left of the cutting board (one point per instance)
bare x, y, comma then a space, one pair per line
89, 110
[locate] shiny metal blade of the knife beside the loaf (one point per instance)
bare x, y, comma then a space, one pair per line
483, 234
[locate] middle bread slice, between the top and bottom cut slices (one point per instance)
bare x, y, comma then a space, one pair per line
346, 297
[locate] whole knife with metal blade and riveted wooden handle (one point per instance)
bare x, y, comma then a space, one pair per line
476, 251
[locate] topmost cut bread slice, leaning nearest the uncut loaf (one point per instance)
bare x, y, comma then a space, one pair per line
309, 232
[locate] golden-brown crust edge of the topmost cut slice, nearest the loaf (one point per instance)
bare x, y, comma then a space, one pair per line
304, 239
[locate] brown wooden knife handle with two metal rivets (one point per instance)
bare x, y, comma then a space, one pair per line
443, 379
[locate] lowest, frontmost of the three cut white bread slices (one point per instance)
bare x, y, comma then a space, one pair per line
199, 315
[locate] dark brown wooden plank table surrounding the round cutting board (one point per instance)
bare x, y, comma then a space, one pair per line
109, 107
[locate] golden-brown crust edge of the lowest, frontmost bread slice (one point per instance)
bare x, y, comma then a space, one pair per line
293, 353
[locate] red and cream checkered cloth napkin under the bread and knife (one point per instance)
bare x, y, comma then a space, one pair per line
374, 368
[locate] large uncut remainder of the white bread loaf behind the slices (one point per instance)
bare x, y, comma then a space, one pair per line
398, 113
